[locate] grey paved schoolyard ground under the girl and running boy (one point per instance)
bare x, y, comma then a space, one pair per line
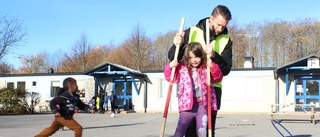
148, 125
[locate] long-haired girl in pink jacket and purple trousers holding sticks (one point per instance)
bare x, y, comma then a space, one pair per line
192, 96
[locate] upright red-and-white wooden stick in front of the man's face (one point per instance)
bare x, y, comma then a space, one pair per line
208, 83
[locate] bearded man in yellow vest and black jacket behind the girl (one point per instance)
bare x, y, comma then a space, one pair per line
219, 41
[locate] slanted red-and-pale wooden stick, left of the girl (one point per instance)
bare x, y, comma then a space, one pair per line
165, 113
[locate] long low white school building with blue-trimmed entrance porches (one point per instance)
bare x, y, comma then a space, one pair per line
245, 90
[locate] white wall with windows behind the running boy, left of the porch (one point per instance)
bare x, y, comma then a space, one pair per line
48, 84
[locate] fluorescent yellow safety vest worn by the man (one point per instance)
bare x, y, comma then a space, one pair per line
218, 45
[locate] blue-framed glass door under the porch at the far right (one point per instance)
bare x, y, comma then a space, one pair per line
307, 92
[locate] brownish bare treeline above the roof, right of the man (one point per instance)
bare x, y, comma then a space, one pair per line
279, 41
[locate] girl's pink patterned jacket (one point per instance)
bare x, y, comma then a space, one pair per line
183, 78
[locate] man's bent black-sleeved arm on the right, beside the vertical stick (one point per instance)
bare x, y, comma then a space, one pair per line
225, 59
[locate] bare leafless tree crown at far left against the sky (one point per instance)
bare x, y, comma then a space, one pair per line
12, 34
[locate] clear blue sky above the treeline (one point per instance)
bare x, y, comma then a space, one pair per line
57, 24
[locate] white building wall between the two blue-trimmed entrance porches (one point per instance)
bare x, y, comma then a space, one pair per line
243, 91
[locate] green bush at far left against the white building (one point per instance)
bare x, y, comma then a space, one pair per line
18, 101
